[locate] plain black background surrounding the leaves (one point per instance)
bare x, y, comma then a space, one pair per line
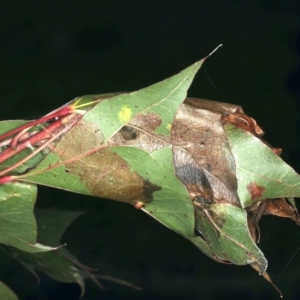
53, 51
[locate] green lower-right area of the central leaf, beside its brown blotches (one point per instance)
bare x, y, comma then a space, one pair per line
171, 204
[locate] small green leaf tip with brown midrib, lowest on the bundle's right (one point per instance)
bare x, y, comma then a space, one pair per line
225, 229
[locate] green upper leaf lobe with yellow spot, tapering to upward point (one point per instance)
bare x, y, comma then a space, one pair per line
162, 99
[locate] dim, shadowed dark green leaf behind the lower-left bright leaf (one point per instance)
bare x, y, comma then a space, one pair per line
60, 265
